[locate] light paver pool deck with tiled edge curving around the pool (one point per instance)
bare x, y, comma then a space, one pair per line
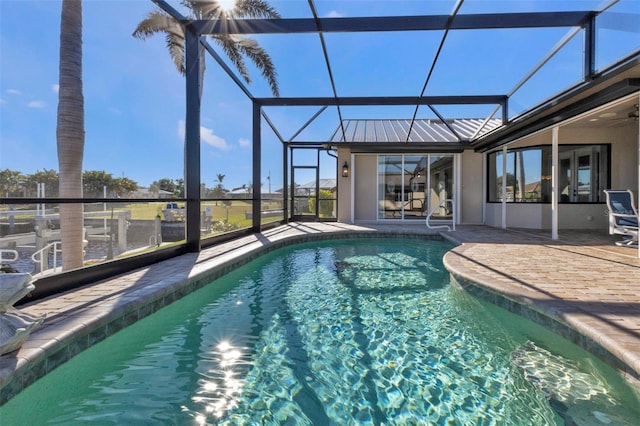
582, 286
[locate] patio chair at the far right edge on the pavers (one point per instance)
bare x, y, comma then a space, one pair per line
623, 216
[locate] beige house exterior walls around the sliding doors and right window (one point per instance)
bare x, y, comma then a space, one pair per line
624, 160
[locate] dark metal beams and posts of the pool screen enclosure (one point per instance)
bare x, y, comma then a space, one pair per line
196, 29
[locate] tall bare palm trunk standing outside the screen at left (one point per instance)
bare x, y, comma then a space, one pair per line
70, 133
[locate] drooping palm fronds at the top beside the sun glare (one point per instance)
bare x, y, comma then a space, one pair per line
234, 46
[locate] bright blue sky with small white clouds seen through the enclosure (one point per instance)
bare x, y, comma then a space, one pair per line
134, 97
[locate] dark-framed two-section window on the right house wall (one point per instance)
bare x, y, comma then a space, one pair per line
583, 172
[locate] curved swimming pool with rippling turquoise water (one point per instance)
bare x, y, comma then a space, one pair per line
358, 331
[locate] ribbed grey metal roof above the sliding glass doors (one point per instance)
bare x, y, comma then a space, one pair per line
422, 131
